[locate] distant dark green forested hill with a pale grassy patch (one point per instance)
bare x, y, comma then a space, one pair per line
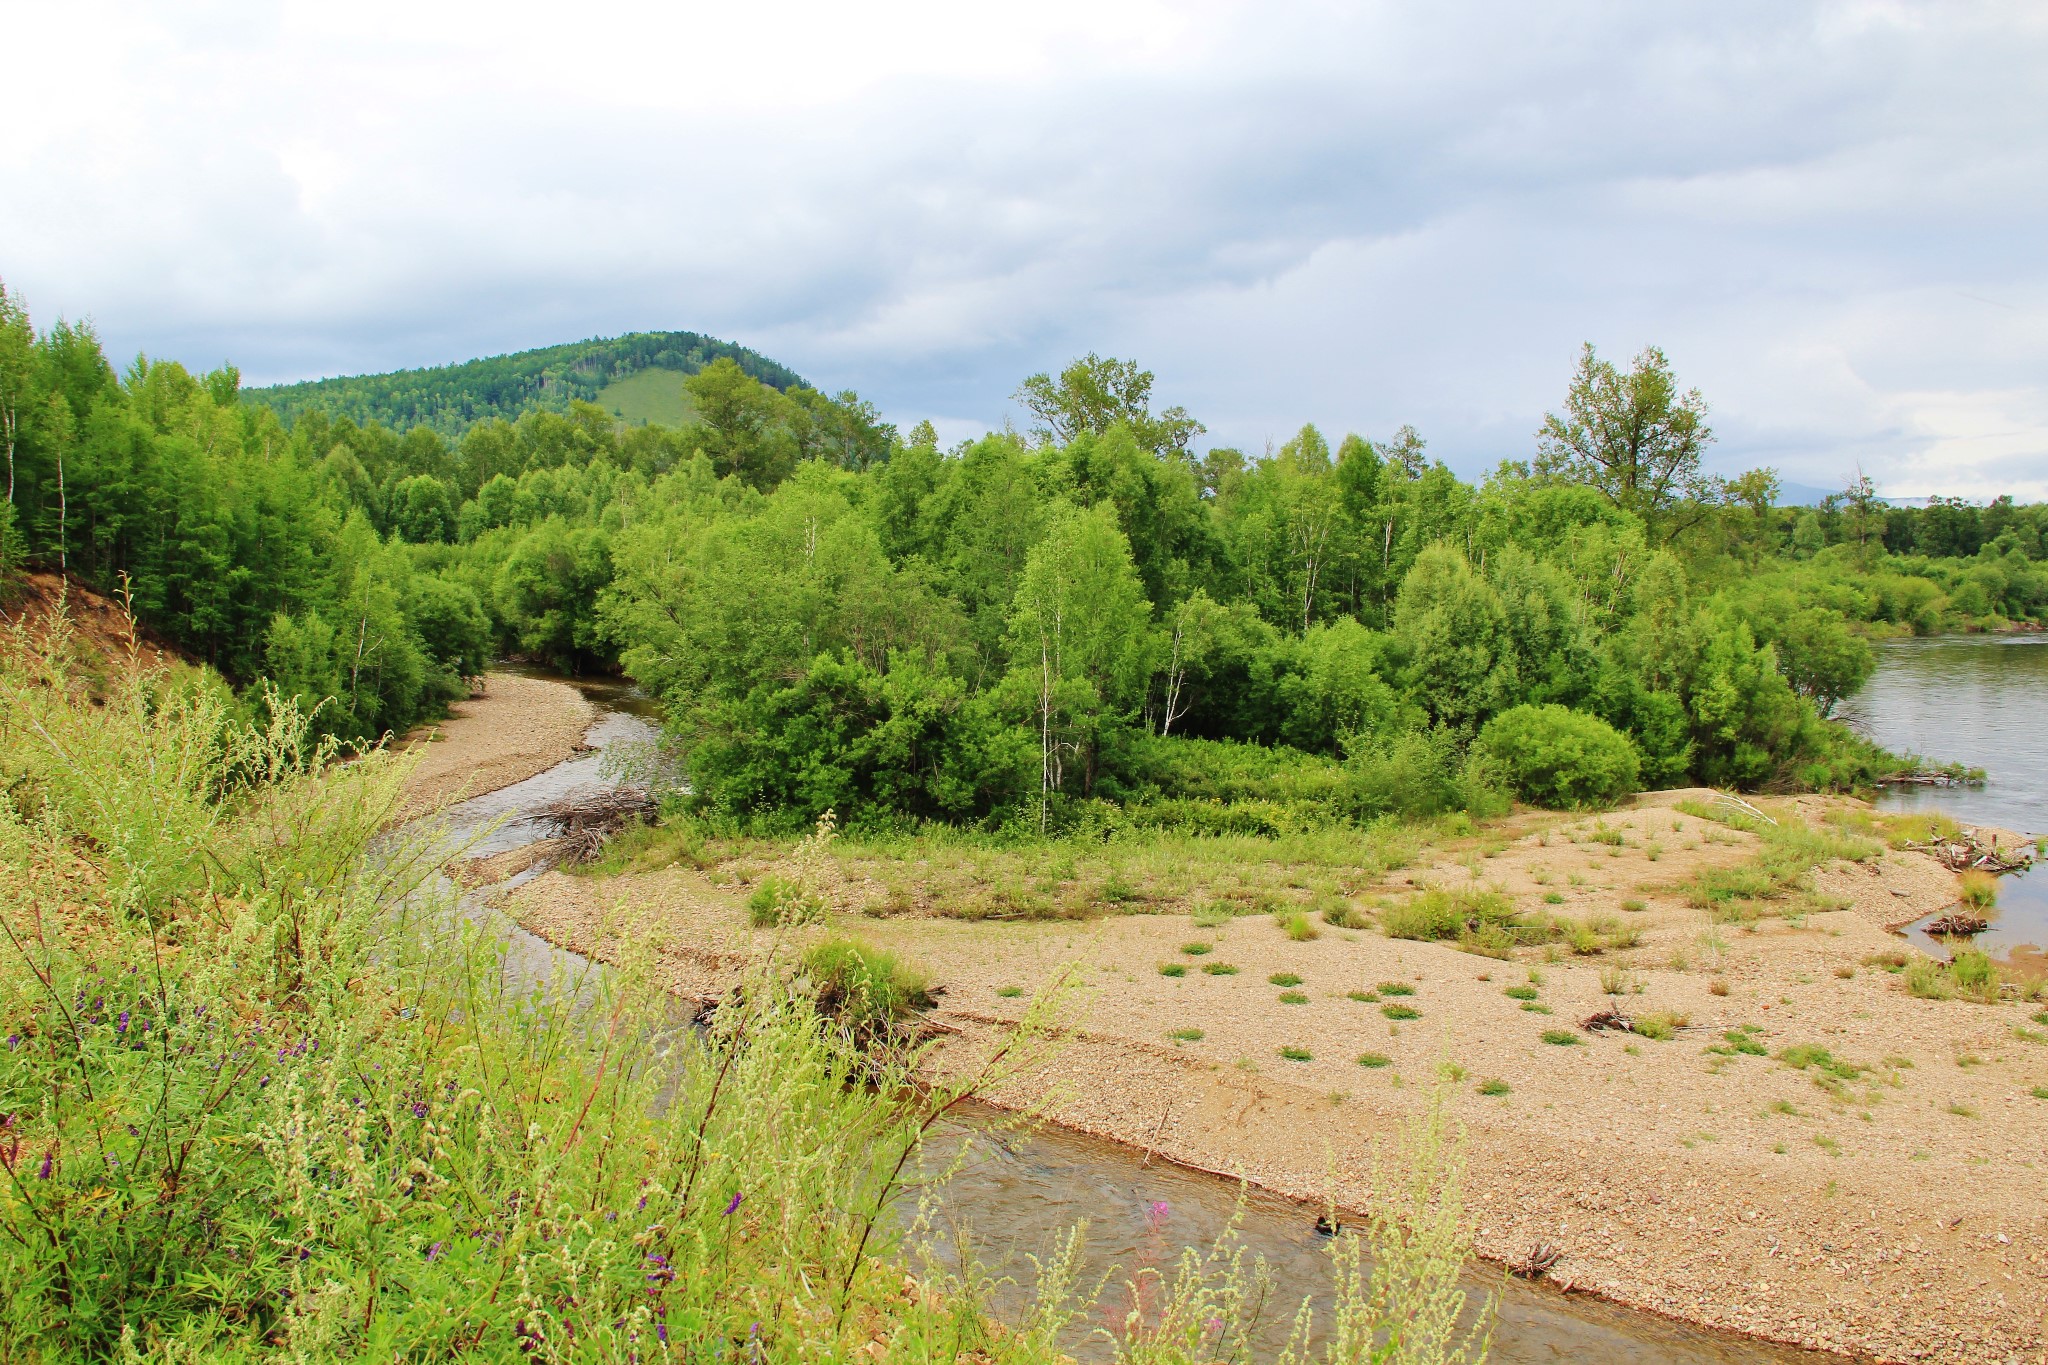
636, 378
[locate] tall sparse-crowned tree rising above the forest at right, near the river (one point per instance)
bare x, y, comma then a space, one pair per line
1635, 439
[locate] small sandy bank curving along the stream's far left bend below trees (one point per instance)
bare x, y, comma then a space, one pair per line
517, 730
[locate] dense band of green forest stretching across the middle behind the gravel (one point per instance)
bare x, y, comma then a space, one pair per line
1084, 623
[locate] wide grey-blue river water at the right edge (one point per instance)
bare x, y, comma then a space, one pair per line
1983, 703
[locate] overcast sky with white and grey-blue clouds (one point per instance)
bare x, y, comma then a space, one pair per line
1830, 216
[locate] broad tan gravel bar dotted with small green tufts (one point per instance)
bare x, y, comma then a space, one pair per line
1895, 1215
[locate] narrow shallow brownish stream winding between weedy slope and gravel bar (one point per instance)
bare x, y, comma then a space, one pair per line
1017, 1194
